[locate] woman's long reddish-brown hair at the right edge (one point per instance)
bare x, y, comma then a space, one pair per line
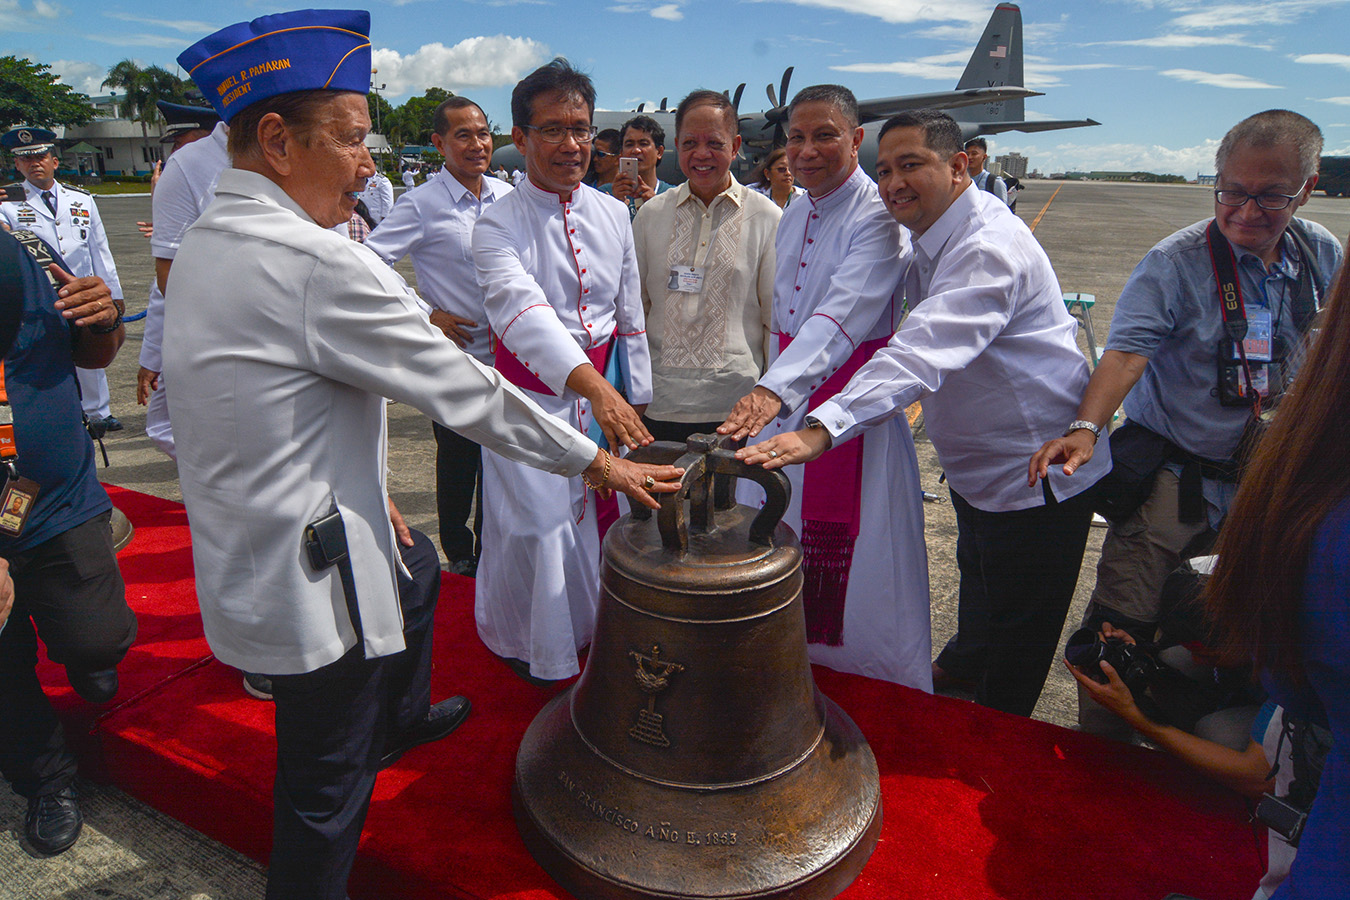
1299, 474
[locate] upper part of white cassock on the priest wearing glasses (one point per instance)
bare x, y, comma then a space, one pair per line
560, 279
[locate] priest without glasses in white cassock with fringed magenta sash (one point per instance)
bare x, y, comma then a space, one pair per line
859, 513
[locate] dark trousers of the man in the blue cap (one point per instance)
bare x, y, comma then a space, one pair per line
331, 731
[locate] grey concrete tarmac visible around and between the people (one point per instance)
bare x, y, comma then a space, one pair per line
1094, 233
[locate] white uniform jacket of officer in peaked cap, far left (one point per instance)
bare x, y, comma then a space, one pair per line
75, 231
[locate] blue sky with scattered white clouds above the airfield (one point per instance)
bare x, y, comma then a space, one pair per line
1166, 78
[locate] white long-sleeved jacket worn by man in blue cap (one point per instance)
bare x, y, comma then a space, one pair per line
281, 342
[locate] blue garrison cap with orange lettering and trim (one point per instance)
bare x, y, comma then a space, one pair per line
303, 51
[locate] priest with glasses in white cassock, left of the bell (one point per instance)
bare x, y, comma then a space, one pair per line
562, 295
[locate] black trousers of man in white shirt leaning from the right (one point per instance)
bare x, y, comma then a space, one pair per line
1019, 573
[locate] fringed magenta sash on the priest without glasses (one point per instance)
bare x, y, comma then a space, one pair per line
832, 509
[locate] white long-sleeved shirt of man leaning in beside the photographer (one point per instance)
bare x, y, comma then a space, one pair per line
990, 349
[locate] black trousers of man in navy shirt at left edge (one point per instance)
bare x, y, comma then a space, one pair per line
70, 592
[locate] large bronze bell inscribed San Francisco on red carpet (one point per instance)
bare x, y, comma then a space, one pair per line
695, 758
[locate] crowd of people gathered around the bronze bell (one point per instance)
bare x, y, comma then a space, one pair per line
589, 310
